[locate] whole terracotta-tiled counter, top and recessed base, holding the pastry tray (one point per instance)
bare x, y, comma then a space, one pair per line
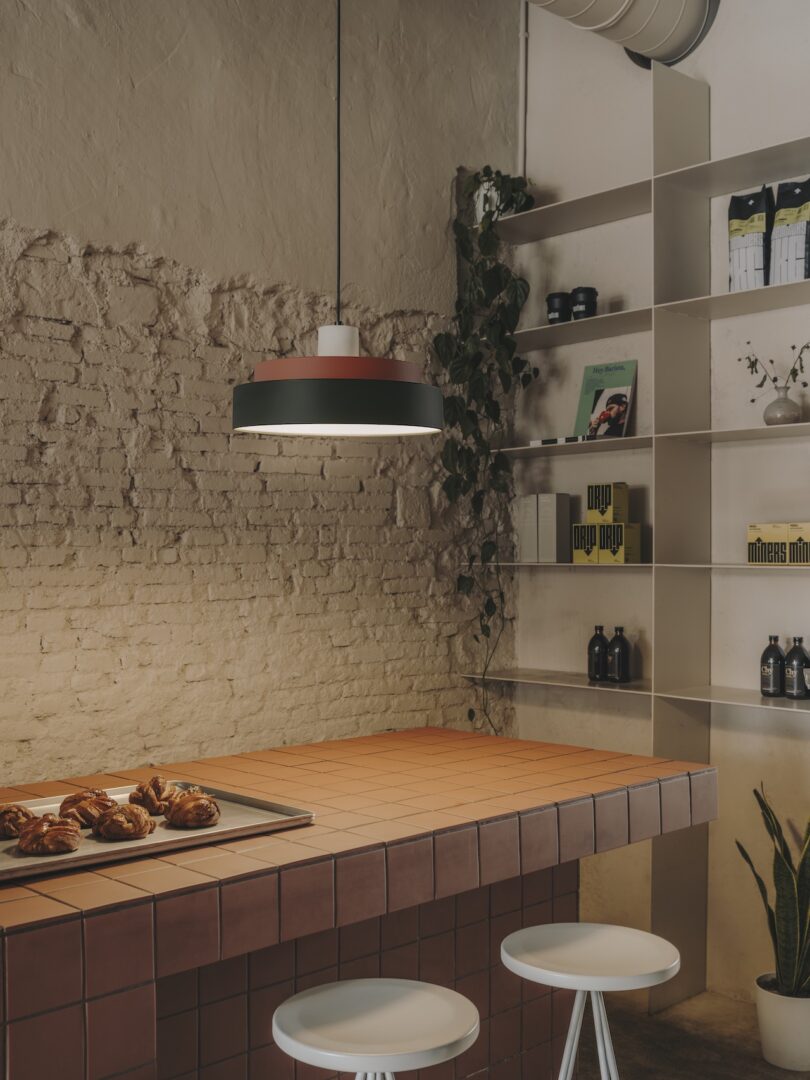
430, 847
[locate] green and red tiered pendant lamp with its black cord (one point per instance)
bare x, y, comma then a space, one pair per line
339, 393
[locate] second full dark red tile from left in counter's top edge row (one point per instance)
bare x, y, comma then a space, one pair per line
119, 949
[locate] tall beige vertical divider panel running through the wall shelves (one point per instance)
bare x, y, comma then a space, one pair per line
682, 511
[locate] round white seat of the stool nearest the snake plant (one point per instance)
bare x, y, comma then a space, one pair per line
590, 956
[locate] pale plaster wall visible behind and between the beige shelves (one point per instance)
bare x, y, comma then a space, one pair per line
589, 128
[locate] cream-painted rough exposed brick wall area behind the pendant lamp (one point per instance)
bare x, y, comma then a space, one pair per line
170, 590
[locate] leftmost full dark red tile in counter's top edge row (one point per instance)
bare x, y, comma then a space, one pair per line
44, 968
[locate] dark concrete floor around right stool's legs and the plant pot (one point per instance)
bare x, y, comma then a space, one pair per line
708, 1038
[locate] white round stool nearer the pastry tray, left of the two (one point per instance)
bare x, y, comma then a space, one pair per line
375, 1027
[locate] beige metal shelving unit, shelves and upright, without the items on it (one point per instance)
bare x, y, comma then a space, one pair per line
683, 182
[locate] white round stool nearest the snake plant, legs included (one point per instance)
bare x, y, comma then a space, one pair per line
590, 958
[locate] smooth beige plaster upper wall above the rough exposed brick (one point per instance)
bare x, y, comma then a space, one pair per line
206, 129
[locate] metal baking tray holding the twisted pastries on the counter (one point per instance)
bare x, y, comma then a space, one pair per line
239, 816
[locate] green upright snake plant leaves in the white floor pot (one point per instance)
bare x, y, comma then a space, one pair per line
789, 920
